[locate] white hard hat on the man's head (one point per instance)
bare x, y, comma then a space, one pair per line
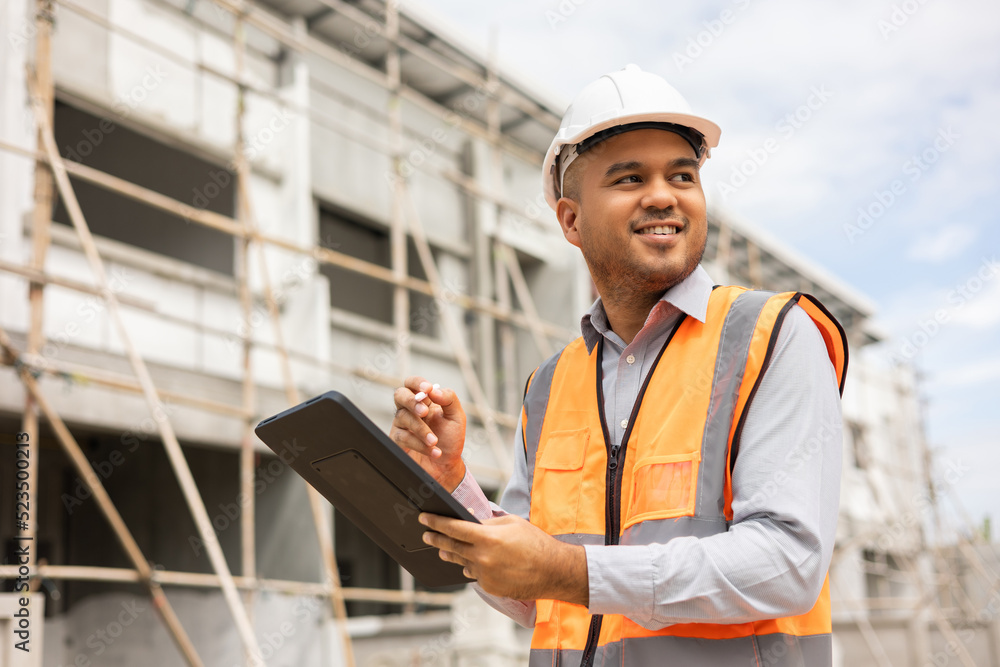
622, 98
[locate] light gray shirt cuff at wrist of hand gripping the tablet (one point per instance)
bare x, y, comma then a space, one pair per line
621, 580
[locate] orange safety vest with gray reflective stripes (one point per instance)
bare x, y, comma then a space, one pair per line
670, 477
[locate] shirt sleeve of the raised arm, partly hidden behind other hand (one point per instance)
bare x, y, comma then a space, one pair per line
516, 498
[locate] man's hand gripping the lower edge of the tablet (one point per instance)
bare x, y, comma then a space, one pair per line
512, 558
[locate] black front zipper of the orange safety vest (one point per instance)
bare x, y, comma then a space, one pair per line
613, 491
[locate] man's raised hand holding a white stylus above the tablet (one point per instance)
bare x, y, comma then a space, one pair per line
431, 429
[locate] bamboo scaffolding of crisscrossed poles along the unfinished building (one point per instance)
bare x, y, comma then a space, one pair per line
52, 174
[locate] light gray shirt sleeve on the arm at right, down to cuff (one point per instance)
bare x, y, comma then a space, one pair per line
786, 489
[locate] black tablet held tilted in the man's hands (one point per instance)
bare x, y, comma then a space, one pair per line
368, 477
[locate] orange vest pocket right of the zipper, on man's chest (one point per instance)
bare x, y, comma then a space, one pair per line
663, 487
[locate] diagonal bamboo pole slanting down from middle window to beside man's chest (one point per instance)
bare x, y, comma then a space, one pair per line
456, 337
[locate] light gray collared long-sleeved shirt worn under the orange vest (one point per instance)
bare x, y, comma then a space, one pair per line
786, 486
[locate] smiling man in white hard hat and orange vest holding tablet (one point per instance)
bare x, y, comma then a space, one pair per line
676, 484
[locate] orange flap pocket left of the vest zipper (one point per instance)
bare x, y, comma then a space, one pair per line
555, 494
